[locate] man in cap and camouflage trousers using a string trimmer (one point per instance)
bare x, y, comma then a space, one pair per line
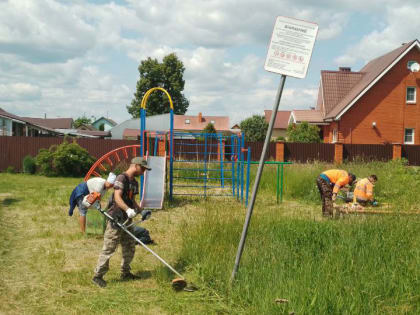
122, 207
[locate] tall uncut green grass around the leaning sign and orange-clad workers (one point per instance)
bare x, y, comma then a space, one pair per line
354, 265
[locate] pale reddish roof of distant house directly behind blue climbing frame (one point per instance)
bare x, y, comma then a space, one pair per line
221, 123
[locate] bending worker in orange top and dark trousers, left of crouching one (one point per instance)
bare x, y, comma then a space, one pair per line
329, 184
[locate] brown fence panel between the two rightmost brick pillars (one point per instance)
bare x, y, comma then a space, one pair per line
367, 152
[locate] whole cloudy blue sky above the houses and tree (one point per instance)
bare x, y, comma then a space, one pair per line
74, 58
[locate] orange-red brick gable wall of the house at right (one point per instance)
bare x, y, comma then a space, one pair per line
385, 104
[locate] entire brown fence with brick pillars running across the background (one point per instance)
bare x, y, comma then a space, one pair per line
14, 149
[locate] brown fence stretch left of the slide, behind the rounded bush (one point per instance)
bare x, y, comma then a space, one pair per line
14, 149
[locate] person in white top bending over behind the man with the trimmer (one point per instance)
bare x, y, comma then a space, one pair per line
88, 194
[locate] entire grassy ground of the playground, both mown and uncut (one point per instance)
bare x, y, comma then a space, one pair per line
350, 265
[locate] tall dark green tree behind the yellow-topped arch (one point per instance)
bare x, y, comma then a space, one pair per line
168, 75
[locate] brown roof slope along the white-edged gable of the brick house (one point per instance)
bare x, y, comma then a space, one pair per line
371, 71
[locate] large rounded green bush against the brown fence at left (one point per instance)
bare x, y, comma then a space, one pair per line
66, 159
